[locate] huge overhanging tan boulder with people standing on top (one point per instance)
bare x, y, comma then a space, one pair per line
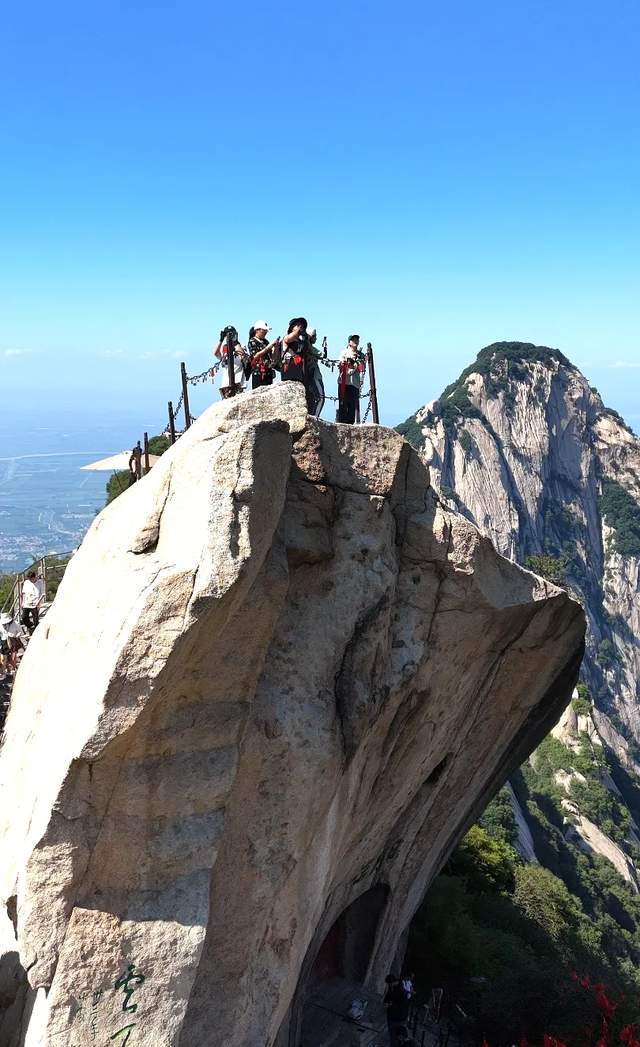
279, 681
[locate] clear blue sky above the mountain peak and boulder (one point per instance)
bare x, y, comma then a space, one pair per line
436, 177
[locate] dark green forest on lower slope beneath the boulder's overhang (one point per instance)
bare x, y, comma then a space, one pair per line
506, 940
